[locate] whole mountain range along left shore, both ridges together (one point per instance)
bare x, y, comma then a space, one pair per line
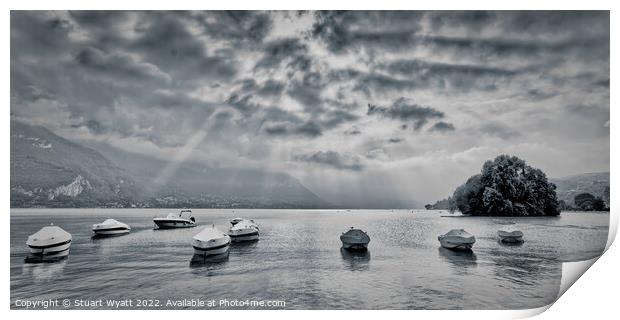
51, 171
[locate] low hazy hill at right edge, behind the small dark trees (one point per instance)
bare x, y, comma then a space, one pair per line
596, 183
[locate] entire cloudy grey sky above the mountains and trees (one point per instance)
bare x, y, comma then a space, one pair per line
355, 105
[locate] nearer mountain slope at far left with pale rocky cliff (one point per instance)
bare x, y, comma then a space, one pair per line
48, 170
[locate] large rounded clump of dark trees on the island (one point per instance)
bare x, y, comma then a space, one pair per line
507, 186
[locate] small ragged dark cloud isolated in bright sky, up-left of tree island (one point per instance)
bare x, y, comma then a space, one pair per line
405, 111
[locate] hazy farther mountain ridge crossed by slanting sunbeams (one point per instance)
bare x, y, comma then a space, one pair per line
183, 184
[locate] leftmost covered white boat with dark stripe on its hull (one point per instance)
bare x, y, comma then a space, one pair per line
49, 243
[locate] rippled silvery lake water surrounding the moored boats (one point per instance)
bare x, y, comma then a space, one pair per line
298, 260
